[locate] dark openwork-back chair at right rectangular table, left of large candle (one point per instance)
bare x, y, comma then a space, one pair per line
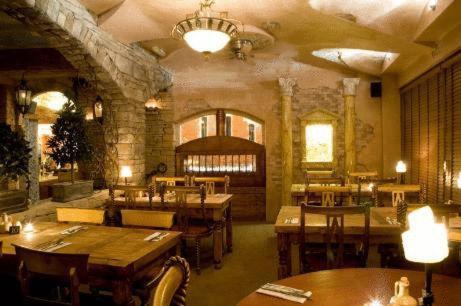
334, 251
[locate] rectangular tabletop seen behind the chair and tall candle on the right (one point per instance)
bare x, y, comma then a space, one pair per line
352, 223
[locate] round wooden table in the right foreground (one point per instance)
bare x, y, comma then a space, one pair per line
355, 287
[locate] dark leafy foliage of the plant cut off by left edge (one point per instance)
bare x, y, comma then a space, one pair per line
14, 154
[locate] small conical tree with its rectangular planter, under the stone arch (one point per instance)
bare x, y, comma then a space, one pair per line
69, 145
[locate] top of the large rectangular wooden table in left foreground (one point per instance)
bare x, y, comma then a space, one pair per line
113, 246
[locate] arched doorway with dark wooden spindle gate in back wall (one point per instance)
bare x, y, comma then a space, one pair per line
218, 143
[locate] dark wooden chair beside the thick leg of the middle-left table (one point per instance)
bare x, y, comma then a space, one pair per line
201, 227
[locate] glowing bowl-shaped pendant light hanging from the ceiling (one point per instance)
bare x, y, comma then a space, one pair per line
206, 31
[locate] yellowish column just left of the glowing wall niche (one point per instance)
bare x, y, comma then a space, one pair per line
286, 90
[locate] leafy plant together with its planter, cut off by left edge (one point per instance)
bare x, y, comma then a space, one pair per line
14, 163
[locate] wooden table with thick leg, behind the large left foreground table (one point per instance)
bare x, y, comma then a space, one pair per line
218, 205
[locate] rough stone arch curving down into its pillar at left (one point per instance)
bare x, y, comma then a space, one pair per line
127, 75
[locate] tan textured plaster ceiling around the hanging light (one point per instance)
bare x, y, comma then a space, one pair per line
390, 26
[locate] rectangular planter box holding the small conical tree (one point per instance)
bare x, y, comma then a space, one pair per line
66, 191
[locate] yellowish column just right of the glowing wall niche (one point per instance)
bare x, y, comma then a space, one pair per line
349, 93
